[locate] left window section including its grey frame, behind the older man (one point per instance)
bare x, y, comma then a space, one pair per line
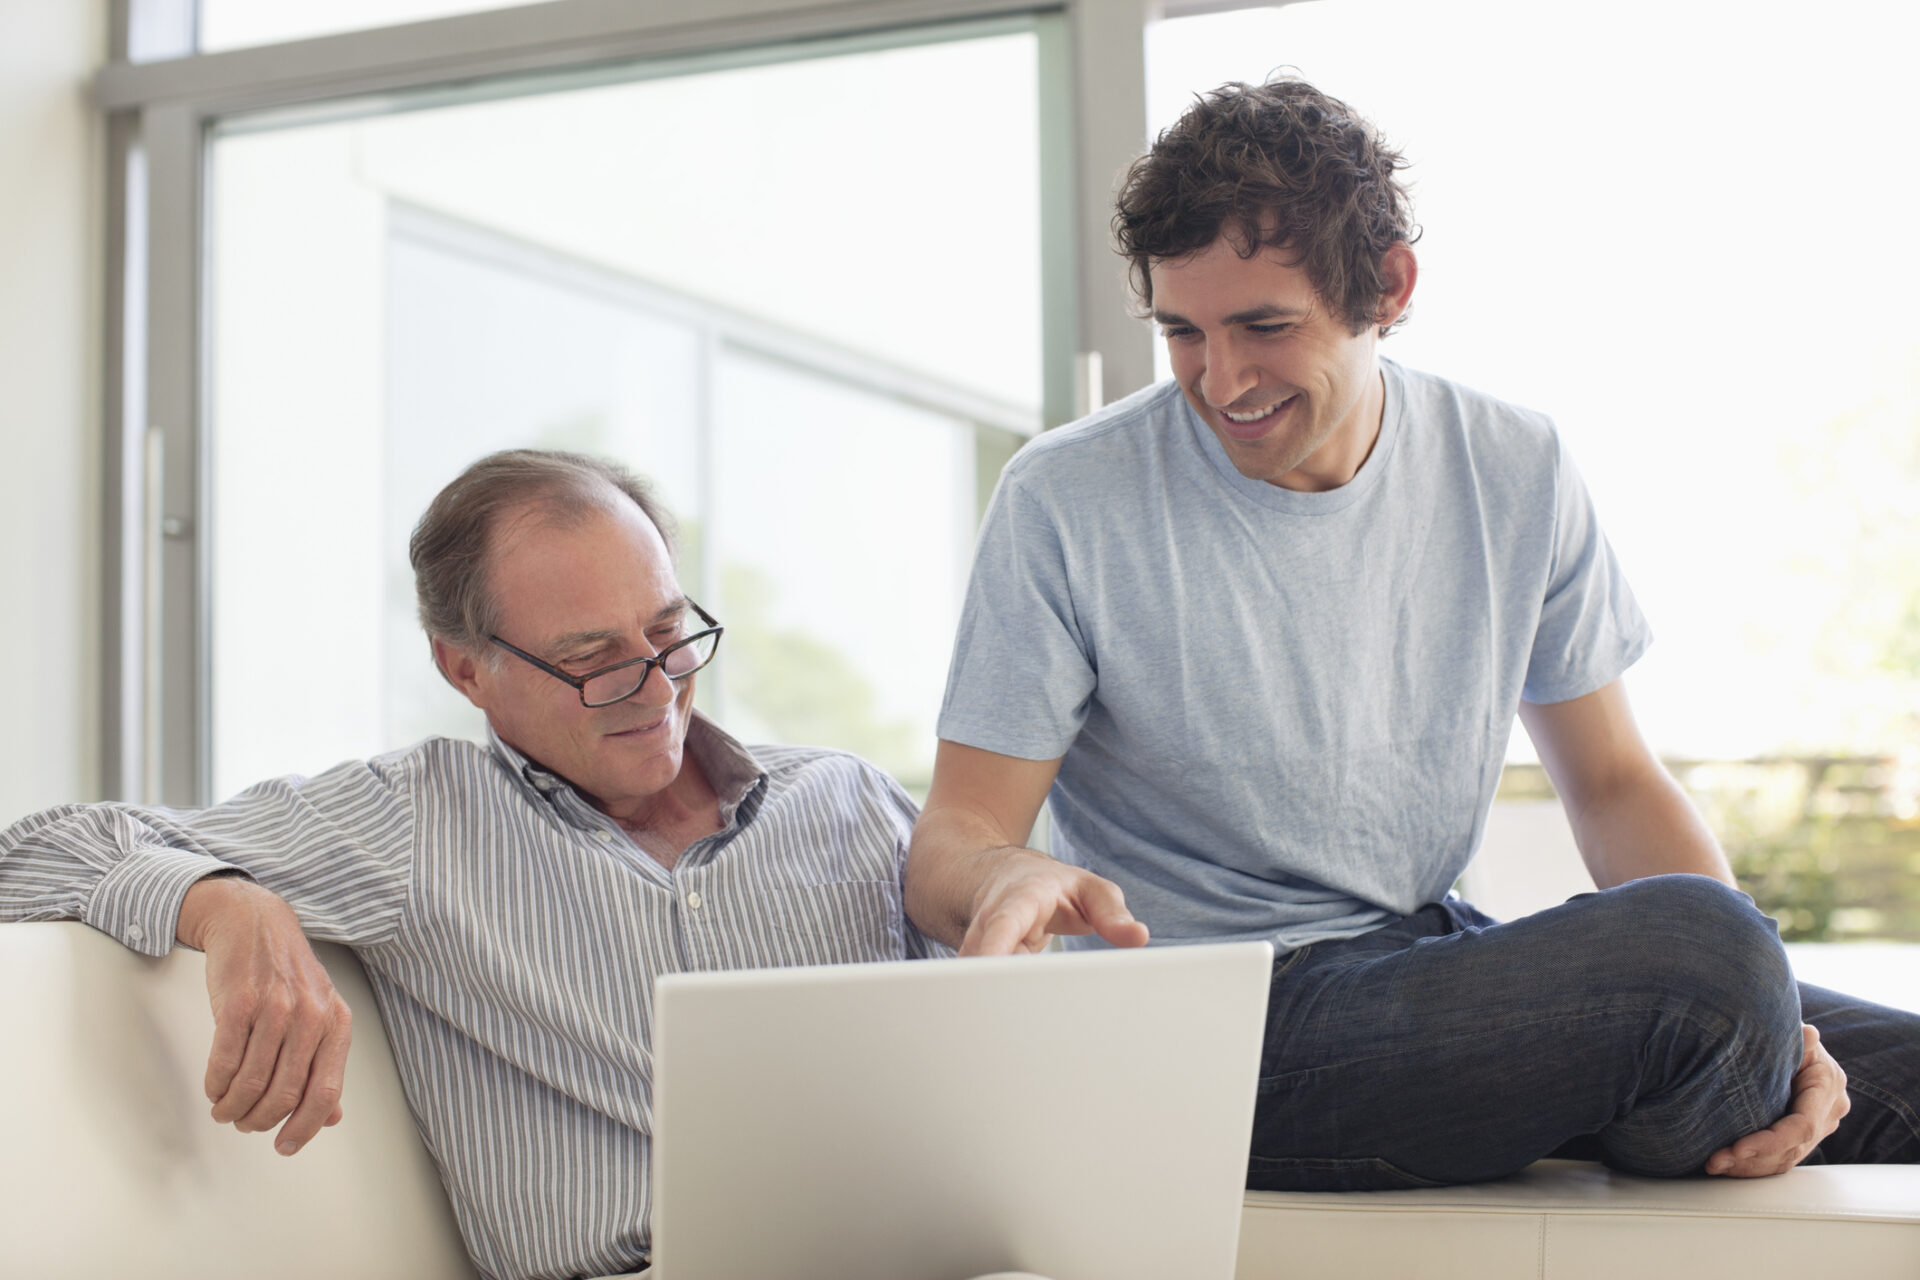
817, 270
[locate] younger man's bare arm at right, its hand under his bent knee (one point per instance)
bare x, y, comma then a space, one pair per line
1633, 820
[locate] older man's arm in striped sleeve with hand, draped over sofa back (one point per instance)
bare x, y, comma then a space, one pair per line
339, 845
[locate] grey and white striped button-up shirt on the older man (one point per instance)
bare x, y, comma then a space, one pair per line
514, 934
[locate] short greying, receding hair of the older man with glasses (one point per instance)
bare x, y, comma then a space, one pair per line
454, 542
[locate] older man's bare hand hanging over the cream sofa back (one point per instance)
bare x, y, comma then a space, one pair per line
281, 1031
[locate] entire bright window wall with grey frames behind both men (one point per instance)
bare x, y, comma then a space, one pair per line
807, 256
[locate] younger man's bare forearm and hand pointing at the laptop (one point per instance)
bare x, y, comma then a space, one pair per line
974, 884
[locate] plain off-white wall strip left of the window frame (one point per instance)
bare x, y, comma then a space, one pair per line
51, 183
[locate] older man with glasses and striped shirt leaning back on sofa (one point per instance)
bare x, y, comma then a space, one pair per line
514, 903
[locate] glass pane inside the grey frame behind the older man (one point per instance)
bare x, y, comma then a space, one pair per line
746, 283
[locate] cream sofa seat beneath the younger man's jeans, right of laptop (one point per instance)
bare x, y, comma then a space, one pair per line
1579, 1221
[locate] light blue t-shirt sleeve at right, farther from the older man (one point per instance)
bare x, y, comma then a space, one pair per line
1591, 625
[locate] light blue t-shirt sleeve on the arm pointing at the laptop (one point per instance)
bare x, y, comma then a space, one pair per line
1022, 671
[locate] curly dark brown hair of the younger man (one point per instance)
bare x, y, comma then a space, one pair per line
1272, 166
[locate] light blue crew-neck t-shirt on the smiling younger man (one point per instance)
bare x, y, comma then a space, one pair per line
1284, 715
